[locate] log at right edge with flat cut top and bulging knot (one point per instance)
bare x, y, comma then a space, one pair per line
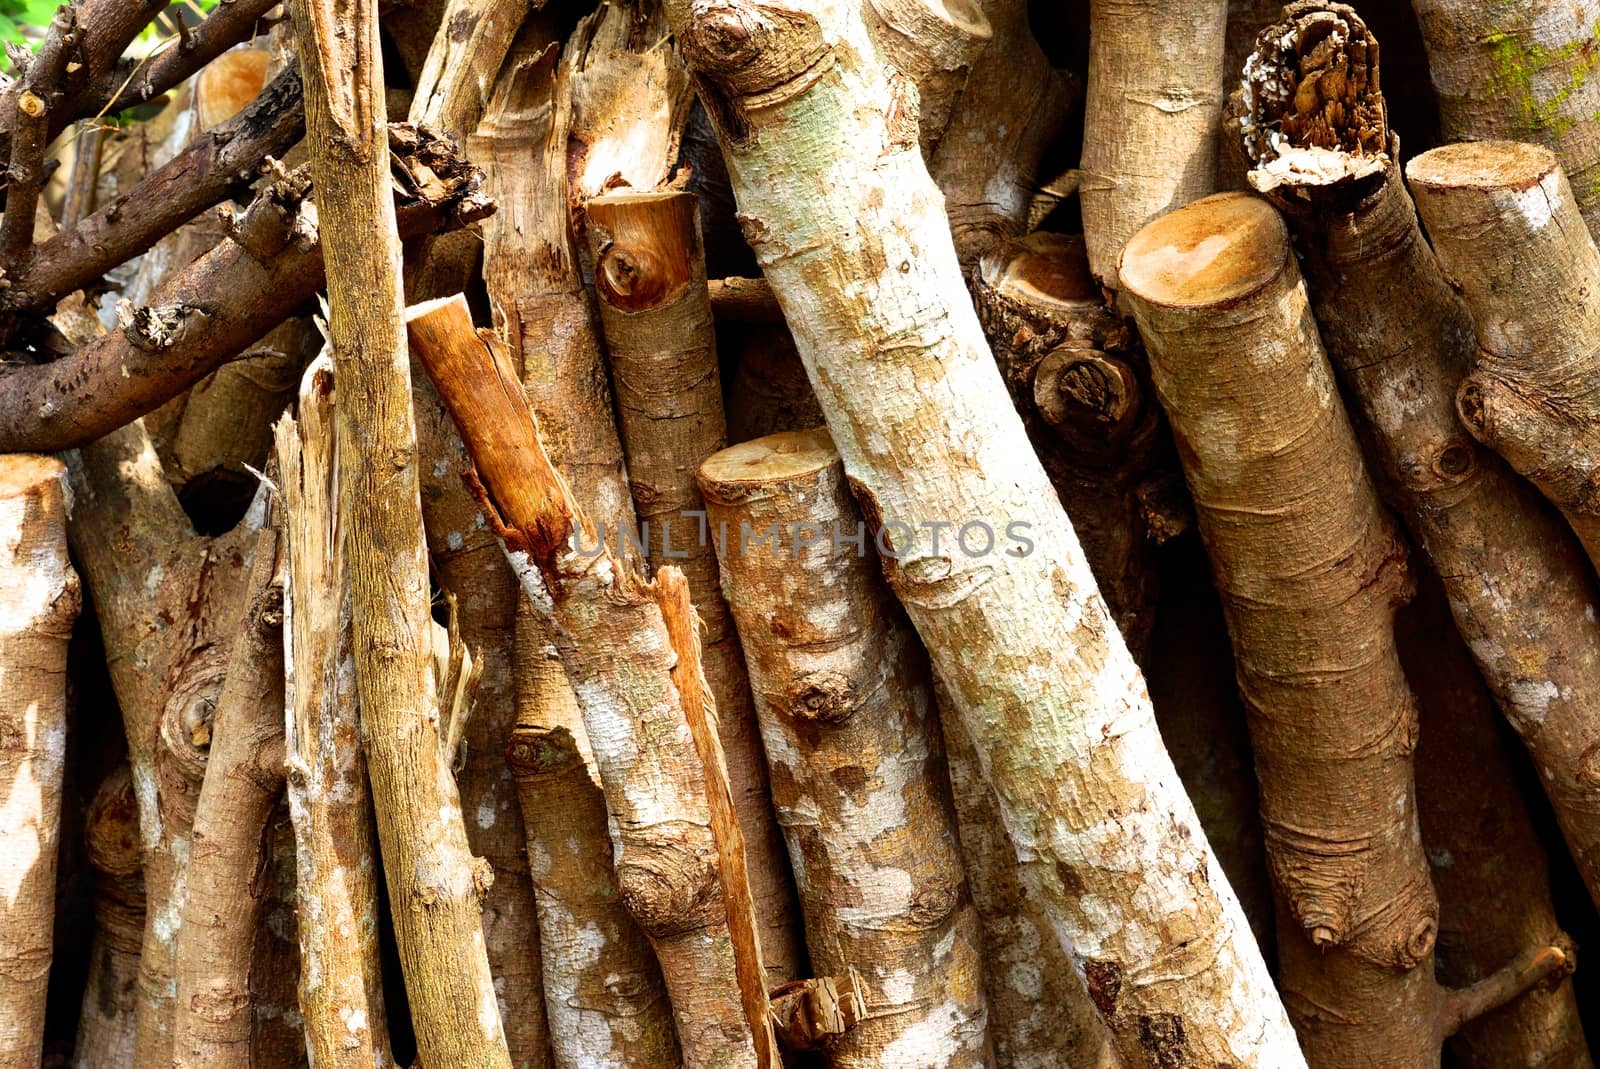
1506, 231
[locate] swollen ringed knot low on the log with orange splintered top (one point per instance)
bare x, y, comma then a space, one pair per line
668, 881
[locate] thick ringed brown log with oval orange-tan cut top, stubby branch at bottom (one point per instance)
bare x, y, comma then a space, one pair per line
1311, 571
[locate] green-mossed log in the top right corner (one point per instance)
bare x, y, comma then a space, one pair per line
1521, 71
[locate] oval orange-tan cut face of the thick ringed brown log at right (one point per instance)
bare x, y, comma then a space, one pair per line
1212, 254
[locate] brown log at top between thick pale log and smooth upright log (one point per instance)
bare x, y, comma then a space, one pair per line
1001, 126
